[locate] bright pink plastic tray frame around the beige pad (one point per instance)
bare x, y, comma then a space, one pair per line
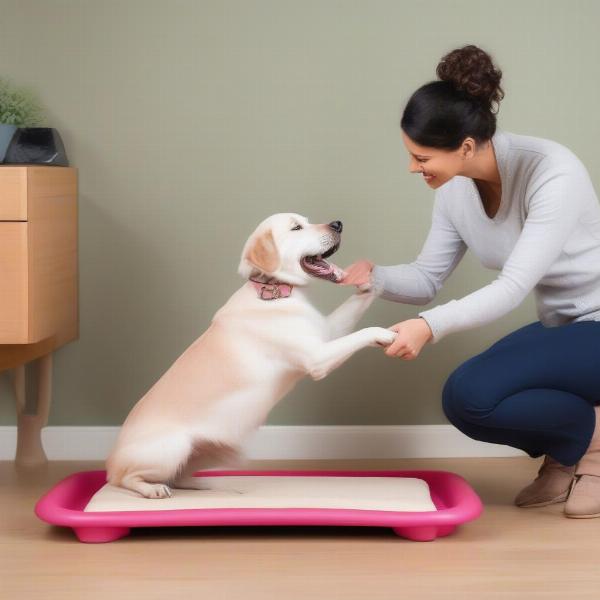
455, 500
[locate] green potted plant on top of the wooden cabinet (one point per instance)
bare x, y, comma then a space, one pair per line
19, 107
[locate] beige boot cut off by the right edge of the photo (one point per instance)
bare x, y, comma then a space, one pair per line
584, 499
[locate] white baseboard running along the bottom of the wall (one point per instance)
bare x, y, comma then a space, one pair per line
288, 442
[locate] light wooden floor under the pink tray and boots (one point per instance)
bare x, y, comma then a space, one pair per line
507, 553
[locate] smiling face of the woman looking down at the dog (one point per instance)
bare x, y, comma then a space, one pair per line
437, 166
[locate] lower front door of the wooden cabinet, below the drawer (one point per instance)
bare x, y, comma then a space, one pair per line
13, 283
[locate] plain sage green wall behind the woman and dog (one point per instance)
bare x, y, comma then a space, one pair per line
190, 122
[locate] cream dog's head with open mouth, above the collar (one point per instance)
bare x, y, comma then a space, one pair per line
289, 248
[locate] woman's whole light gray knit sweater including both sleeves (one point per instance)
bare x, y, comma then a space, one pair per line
545, 236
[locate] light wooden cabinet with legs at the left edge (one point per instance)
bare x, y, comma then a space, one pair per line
38, 278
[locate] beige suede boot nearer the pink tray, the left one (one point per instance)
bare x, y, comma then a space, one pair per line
551, 485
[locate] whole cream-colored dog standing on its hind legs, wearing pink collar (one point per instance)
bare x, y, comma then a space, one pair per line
255, 350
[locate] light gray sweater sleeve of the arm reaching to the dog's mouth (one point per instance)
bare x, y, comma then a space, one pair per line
419, 281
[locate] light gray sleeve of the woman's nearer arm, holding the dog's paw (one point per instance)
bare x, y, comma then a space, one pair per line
553, 214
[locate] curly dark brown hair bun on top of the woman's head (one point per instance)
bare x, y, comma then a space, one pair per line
472, 72
